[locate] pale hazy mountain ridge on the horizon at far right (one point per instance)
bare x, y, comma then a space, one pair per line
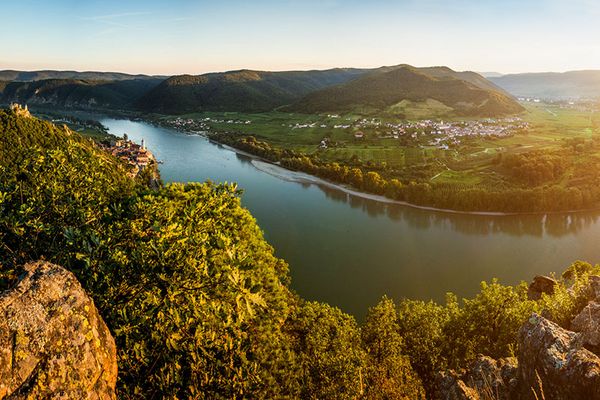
552, 85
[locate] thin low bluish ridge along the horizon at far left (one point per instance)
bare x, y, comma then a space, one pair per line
26, 76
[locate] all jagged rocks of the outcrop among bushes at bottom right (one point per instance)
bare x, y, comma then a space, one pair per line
552, 362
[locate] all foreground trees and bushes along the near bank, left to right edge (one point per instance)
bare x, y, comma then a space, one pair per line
199, 305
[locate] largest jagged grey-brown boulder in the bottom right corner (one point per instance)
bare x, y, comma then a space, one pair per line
553, 364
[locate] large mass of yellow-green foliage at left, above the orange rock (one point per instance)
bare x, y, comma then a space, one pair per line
192, 293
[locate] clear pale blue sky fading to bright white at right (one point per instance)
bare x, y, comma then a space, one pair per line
194, 37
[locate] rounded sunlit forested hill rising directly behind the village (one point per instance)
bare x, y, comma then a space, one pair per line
409, 91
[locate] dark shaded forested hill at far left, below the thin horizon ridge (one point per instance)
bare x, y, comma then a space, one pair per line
77, 93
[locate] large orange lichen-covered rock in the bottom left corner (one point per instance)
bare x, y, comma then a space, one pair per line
53, 342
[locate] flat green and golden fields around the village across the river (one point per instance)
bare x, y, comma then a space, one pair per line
471, 161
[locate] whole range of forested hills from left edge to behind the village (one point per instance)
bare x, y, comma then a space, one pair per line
439, 91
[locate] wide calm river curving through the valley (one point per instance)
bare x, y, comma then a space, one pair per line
349, 251
